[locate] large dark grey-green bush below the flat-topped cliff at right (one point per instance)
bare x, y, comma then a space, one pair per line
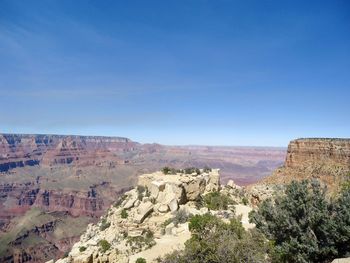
304, 225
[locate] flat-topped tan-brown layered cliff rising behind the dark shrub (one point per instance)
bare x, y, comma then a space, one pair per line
325, 159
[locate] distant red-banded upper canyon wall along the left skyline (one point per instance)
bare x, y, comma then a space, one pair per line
29, 150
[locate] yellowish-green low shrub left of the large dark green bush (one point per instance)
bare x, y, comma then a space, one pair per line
213, 241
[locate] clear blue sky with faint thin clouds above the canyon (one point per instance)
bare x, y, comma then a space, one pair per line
176, 72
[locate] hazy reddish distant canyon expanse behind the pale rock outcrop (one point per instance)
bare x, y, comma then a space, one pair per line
54, 185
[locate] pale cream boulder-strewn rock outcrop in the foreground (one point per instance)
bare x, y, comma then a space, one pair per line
143, 224
